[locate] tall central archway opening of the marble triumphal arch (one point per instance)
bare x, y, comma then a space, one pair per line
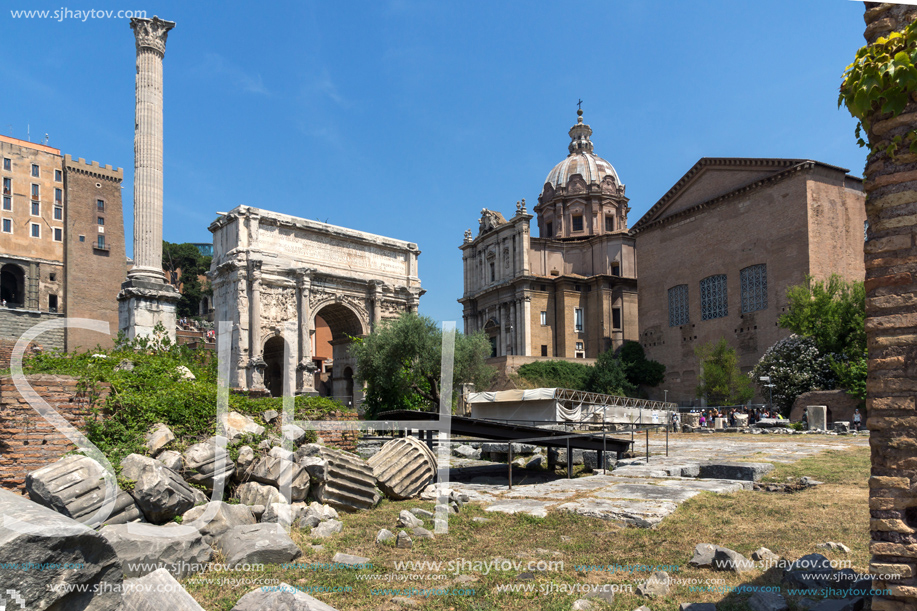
337, 380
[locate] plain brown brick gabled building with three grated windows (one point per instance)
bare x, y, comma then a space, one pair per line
720, 249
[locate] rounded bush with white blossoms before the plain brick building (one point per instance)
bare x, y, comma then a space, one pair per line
795, 365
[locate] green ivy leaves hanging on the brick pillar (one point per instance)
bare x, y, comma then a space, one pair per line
881, 79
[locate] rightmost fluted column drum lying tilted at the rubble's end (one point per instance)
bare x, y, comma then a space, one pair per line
403, 467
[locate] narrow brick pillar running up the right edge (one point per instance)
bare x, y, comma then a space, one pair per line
891, 328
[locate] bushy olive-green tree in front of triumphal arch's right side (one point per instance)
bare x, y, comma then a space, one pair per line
400, 362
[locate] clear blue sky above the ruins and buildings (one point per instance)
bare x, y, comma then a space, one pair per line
405, 118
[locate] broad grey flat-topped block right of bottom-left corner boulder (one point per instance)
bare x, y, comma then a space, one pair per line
143, 548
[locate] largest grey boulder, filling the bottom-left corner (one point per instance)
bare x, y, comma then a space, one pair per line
44, 537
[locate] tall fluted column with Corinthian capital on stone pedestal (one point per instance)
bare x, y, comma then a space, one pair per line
145, 299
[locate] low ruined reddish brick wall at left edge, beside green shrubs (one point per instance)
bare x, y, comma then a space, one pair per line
27, 440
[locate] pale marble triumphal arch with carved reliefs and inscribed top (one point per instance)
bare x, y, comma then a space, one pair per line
269, 269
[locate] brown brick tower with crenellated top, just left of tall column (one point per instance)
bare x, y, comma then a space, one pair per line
95, 270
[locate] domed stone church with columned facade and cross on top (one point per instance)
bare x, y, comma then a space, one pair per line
572, 291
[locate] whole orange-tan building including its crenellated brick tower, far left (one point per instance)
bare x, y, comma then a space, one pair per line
61, 243
